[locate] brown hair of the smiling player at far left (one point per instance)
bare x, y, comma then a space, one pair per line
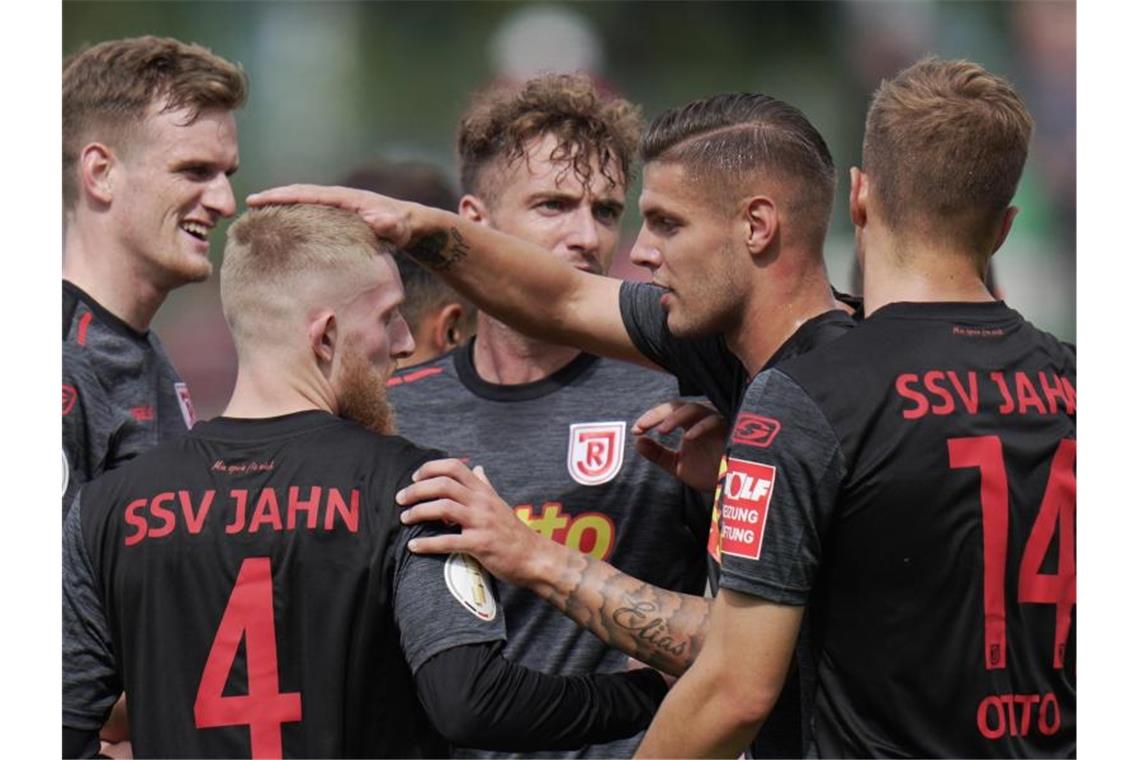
109, 87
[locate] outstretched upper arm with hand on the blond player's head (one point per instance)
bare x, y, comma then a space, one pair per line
543, 297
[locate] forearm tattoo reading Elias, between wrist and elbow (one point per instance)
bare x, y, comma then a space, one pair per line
664, 630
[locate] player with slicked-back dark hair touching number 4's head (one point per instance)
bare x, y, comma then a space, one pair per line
736, 200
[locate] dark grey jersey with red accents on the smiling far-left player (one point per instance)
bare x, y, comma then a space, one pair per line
121, 396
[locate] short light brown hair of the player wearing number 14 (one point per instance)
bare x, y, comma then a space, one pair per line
944, 148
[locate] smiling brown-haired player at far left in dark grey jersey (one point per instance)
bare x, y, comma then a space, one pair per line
149, 146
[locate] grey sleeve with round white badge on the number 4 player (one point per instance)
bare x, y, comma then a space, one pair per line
443, 602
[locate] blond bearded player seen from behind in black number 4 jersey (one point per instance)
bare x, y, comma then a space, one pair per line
247, 584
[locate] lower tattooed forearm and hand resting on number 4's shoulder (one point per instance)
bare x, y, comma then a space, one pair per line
662, 628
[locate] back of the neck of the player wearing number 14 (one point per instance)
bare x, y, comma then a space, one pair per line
903, 271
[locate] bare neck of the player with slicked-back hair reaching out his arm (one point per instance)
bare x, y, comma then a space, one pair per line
778, 306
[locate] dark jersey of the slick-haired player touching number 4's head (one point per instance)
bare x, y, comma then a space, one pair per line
706, 366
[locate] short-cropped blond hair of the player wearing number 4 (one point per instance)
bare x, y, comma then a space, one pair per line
282, 260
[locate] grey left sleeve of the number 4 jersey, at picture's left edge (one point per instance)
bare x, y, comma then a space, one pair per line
91, 679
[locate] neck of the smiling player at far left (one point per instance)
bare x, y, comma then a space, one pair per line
108, 276
